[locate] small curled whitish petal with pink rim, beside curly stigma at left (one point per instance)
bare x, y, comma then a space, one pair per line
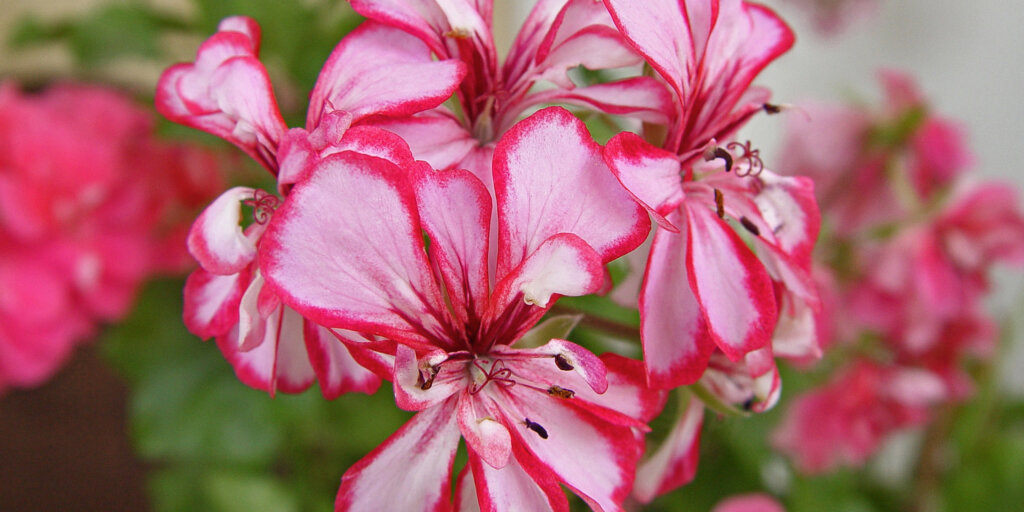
217, 239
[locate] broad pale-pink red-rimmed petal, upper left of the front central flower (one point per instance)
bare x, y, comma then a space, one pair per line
347, 250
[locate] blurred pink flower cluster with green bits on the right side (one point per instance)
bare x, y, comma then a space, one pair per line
907, 264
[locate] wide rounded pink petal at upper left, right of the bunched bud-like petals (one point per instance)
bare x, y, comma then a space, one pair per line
377, 70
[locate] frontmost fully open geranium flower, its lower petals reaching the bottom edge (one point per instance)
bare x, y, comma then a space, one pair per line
401, 253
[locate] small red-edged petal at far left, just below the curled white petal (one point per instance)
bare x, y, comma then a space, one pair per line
211, 308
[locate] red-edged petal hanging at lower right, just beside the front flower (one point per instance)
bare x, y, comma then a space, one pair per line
675, 462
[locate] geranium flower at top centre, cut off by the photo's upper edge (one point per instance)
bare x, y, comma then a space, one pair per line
558, 36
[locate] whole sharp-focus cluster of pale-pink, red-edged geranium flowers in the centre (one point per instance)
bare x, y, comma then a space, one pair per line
425, 223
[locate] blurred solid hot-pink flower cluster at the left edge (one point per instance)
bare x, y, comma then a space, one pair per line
91, 205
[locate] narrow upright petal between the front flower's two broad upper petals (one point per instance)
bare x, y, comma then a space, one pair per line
455, 210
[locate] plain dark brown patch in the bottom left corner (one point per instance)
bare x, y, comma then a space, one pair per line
65, 446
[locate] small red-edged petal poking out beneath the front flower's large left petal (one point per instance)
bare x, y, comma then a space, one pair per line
337, 372
